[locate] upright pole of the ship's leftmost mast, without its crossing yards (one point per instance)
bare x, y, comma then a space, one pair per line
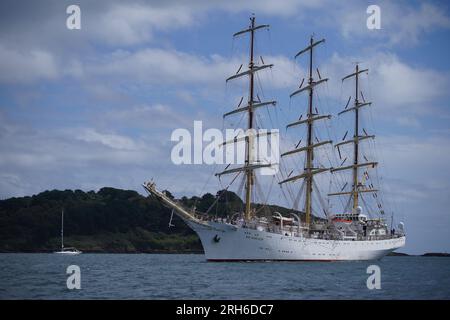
250, 125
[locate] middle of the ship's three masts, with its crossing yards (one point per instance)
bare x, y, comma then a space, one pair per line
312, 115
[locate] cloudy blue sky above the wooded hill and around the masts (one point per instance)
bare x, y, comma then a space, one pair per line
83, 109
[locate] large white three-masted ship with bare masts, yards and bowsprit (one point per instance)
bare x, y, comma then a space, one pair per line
347, 236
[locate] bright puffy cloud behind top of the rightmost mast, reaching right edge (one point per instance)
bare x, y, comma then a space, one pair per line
392, 84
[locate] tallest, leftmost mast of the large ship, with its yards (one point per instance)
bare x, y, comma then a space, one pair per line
252, 104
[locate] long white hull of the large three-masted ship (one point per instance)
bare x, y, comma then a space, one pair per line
225, 242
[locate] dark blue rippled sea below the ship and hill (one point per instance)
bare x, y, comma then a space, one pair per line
180, 276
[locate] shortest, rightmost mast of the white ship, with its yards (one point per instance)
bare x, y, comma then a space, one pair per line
357, 186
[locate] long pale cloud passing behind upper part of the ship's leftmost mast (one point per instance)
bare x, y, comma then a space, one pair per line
161, 67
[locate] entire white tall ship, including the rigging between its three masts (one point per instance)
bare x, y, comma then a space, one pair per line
314, 230
